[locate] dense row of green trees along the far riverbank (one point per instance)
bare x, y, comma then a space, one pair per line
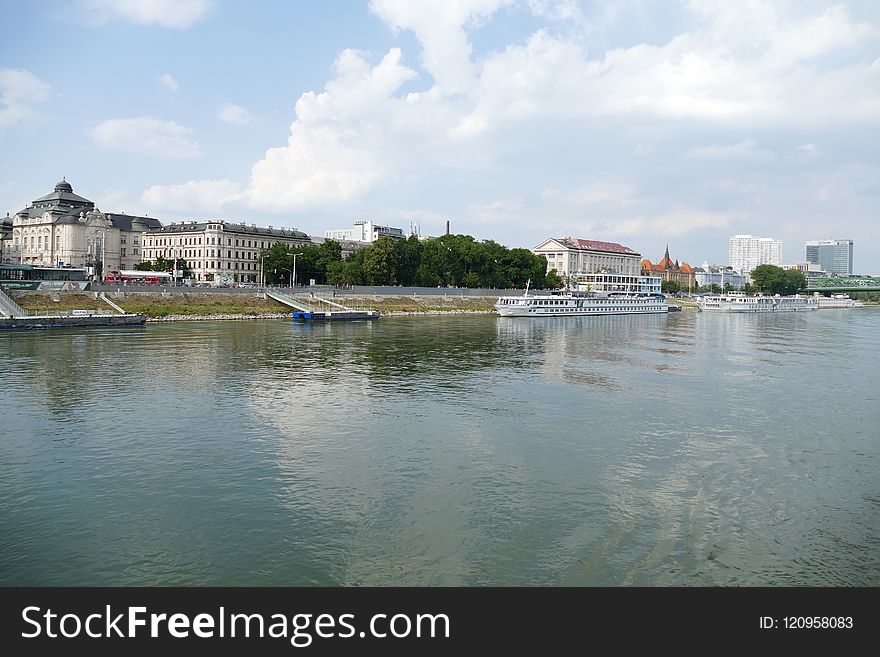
446, 261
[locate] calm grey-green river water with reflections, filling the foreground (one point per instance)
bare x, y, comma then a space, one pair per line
689, 449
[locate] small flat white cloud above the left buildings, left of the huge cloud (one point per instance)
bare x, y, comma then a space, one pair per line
145, 135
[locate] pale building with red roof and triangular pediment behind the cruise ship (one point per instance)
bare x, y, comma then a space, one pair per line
571, 257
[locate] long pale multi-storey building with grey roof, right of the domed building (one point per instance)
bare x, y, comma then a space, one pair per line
218, 252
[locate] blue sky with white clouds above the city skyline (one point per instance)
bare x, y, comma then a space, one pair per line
635, 121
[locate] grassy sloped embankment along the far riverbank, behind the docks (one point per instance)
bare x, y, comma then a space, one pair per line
193, 304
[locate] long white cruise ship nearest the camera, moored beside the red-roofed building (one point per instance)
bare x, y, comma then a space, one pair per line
574, 304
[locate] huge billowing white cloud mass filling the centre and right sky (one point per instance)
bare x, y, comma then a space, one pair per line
512, 134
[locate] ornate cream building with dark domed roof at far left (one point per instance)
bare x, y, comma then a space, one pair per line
64, 229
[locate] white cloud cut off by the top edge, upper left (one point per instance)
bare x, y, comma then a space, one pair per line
179, 14
